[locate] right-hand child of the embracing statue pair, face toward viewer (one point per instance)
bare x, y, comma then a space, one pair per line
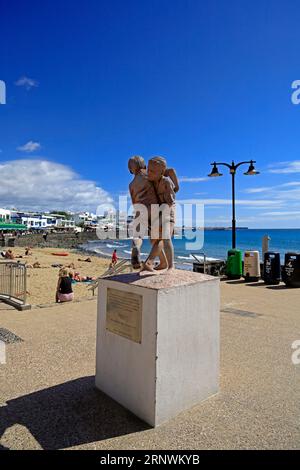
165, 183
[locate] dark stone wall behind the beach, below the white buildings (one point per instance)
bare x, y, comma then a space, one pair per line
55, 240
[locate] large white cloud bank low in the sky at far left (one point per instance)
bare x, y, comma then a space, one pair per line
41, 185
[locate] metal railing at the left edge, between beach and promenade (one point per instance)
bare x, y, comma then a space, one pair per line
13, 281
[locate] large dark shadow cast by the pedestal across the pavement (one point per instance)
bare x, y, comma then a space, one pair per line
69, 414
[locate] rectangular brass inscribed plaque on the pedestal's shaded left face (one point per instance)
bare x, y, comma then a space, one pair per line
124, 314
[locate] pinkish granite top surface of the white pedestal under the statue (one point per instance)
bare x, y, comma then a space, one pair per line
175, 278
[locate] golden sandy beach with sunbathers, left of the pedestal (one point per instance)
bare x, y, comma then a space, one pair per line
41, 282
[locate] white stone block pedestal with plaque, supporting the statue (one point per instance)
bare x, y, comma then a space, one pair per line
158, 342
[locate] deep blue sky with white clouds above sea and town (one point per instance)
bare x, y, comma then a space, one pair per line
91, 83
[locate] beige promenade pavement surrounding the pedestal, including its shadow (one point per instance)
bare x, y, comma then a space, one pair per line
48, 399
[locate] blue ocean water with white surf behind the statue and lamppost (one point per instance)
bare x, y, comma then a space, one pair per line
216, 243
